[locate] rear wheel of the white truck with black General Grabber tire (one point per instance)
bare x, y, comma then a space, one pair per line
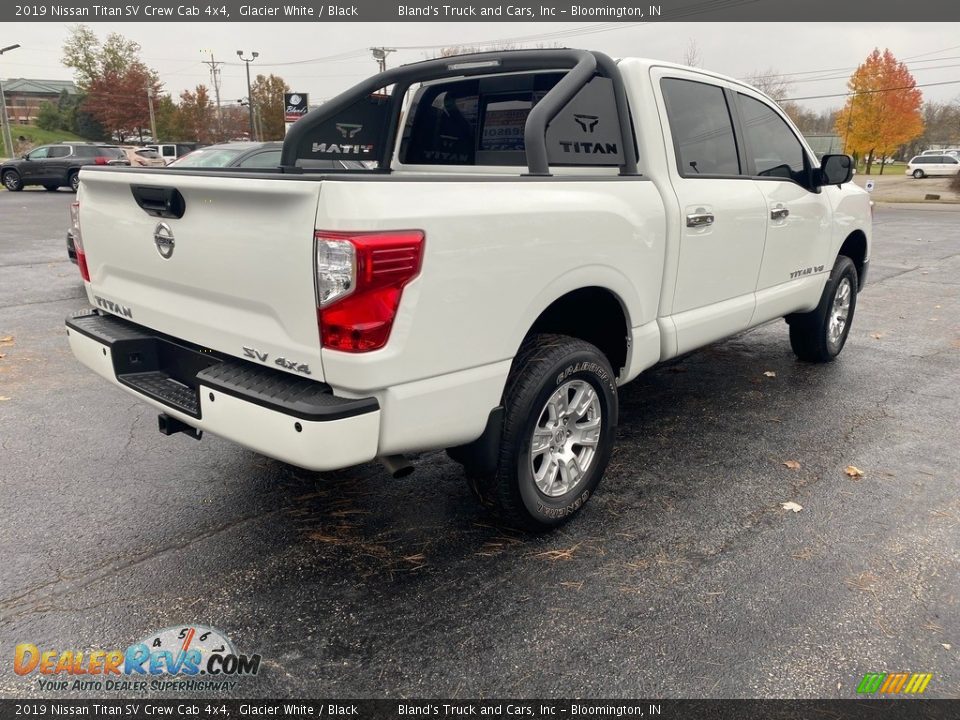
545, 365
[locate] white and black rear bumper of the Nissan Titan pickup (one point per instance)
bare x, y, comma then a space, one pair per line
274, 413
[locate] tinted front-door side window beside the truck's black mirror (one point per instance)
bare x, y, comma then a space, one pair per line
770, 144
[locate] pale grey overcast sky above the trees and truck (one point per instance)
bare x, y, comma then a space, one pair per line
175, 50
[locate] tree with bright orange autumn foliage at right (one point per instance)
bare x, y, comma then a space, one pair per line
884, 111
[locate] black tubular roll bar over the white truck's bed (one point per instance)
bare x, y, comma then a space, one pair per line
582, 66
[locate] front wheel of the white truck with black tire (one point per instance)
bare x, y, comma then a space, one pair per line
812, 335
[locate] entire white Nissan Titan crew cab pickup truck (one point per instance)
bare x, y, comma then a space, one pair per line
531, 230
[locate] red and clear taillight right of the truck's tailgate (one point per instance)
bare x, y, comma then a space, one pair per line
360, 280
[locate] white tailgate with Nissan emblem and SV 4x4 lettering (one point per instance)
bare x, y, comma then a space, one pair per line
239, 279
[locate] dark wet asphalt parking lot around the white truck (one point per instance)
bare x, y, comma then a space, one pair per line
684, 577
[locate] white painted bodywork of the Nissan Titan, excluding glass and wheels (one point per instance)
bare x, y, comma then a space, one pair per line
499, 249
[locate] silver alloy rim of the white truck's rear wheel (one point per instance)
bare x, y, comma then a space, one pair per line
565, 438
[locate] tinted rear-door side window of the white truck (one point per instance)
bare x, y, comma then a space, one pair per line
701, 127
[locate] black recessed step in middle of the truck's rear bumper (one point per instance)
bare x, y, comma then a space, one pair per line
162, 370
